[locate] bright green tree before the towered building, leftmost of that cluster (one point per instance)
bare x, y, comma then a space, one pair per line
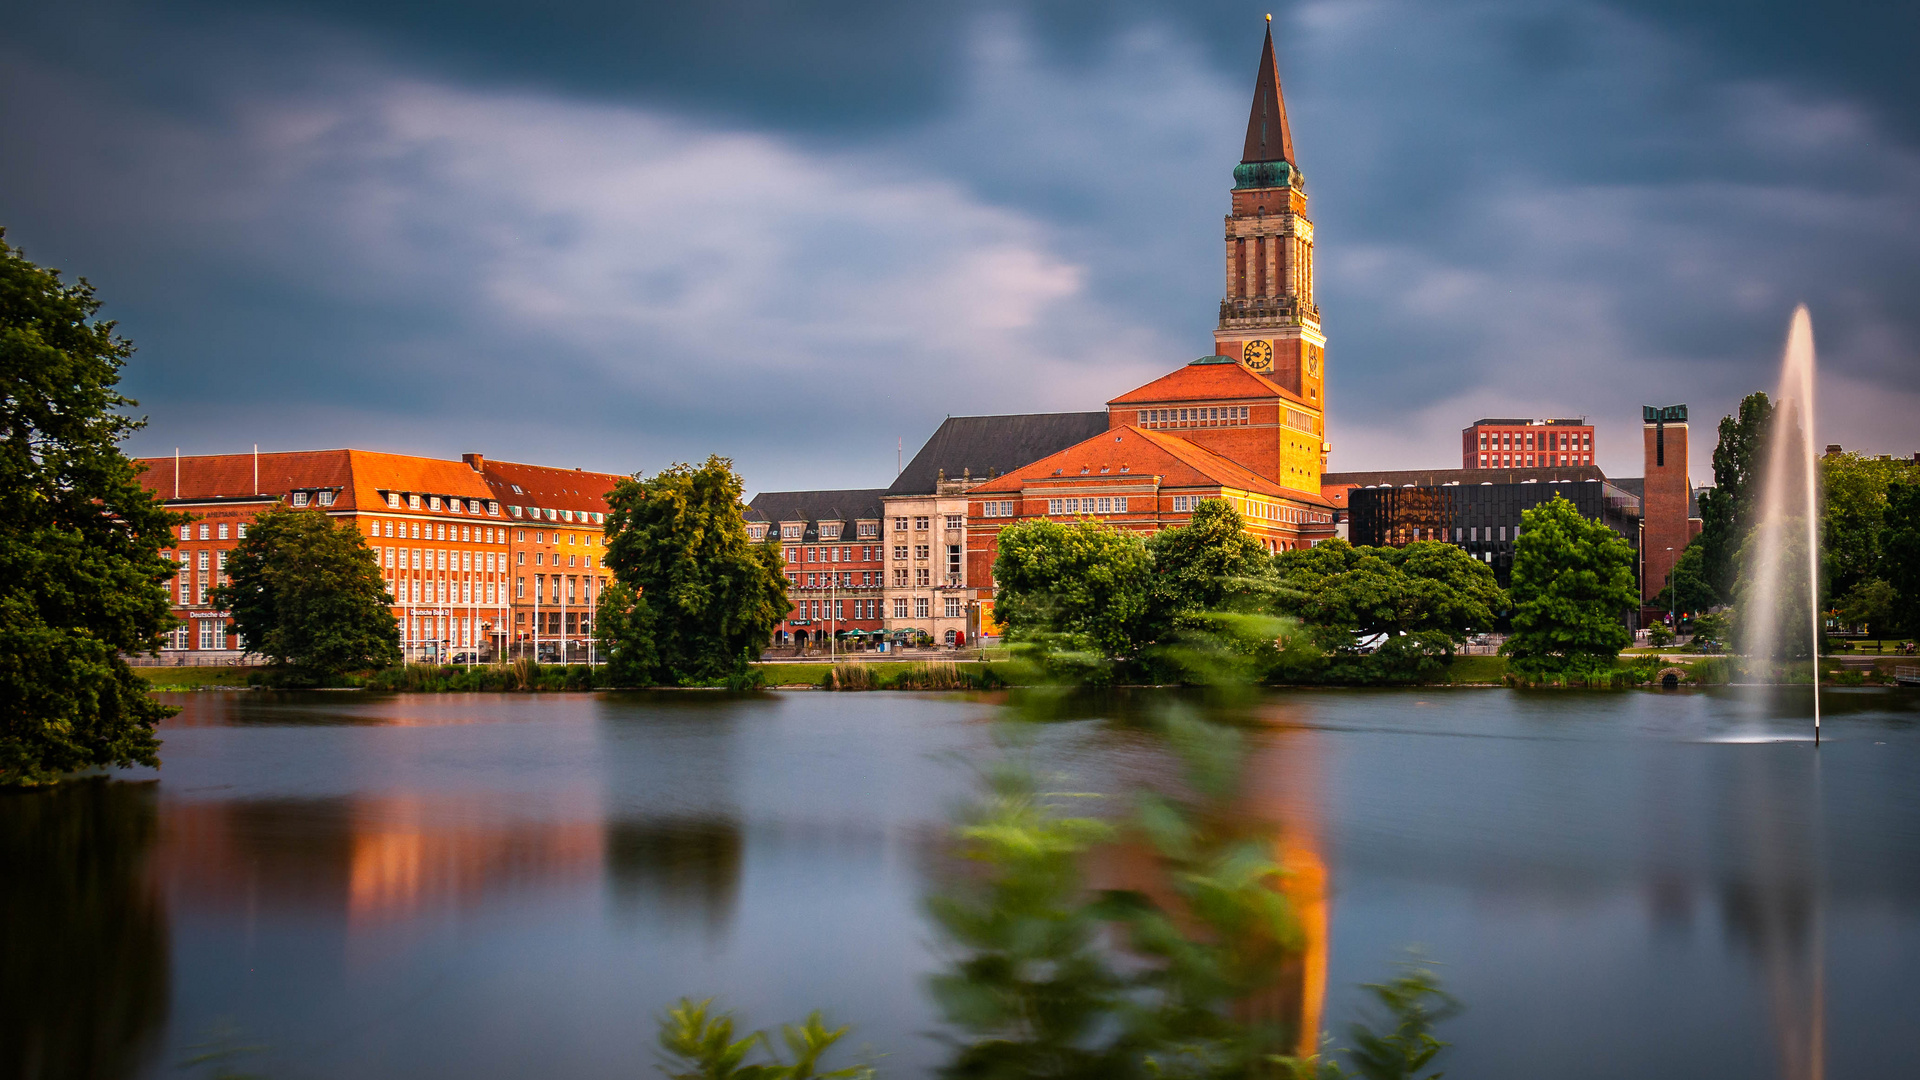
1080, 585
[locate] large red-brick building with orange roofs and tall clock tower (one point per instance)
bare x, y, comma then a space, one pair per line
1245, 426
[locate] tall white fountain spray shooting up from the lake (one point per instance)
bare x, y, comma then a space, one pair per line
1790, 443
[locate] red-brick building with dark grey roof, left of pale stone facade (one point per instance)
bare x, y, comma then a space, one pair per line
832, 547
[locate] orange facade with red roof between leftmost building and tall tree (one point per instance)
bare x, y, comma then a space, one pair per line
558, 545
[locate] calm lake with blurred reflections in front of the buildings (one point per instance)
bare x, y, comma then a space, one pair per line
506, 887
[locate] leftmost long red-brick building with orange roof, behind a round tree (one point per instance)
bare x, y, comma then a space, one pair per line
435, 528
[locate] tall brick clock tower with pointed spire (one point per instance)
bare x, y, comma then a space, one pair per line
1268, 318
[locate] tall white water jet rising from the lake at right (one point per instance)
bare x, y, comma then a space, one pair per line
1787, 539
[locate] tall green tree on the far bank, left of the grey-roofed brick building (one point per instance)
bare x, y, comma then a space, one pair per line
698, 599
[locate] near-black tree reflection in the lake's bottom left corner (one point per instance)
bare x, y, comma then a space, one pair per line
84, 933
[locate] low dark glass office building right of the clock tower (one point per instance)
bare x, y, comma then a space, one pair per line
1485, 520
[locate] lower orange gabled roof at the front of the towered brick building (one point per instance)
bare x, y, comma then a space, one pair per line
1178, 462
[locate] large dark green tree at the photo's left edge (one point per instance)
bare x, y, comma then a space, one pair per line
80, 539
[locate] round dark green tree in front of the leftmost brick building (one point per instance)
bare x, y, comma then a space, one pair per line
306, 593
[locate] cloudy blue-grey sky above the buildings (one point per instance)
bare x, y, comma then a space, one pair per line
800, 235
